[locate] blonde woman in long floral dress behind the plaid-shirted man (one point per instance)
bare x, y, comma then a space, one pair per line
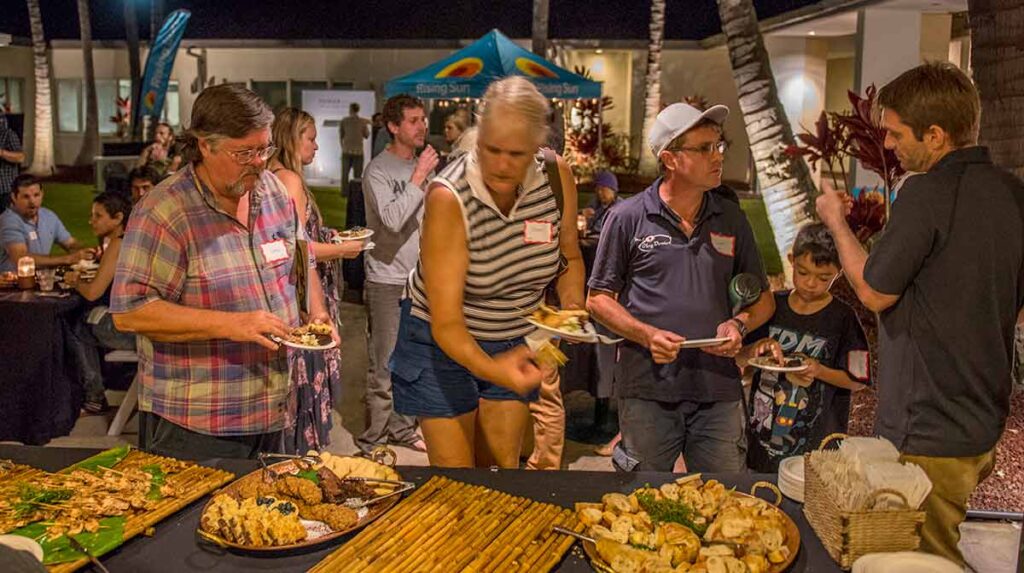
315, 374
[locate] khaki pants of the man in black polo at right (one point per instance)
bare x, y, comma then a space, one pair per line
954, 480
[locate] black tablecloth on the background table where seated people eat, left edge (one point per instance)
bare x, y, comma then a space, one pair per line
39, 395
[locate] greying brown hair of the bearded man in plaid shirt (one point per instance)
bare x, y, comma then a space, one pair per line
225, 112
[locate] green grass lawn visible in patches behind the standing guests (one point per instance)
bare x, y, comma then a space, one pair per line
72, 203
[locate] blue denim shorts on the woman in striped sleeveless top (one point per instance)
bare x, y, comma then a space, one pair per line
426, 383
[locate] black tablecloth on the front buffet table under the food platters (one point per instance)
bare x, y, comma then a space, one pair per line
175, 548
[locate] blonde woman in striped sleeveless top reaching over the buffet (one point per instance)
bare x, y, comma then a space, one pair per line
493, 240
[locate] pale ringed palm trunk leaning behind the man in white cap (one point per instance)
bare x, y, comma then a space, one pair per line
786, 186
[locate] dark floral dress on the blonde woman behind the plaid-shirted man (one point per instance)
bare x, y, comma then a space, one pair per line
317, 373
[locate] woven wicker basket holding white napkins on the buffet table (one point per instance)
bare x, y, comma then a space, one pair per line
850, 535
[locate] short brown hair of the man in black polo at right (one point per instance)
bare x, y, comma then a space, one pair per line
935, 94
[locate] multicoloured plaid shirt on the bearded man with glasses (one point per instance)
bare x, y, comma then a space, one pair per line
181, 248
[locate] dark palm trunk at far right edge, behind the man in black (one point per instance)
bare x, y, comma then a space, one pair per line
998, 66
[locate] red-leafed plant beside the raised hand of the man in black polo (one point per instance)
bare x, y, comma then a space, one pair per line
856, 135
